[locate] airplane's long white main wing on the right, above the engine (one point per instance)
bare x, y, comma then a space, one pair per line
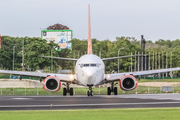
118, 76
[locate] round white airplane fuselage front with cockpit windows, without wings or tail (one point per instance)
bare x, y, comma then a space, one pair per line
89, 70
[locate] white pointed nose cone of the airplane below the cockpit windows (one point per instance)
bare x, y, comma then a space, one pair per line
90, 77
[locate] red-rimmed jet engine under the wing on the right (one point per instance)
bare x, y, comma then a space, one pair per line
128, 82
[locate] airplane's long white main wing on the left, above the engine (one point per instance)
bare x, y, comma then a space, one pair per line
62, 77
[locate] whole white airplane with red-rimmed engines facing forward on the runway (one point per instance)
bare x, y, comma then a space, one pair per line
89, 71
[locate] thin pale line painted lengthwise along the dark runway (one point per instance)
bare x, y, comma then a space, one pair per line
101, 104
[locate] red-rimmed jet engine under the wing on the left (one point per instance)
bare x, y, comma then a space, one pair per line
52, 84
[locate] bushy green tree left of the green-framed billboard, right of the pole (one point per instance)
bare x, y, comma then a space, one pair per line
35, 47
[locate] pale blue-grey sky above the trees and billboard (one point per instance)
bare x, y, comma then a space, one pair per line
155, 19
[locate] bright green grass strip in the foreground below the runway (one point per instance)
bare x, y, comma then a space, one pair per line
95, 114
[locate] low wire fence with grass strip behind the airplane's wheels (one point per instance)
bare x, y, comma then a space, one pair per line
83, 91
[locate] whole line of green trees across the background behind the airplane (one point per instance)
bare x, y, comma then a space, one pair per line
33, 47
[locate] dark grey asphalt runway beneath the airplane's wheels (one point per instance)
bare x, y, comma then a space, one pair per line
84, 102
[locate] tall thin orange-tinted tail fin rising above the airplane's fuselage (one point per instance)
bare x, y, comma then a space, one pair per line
89, 51
